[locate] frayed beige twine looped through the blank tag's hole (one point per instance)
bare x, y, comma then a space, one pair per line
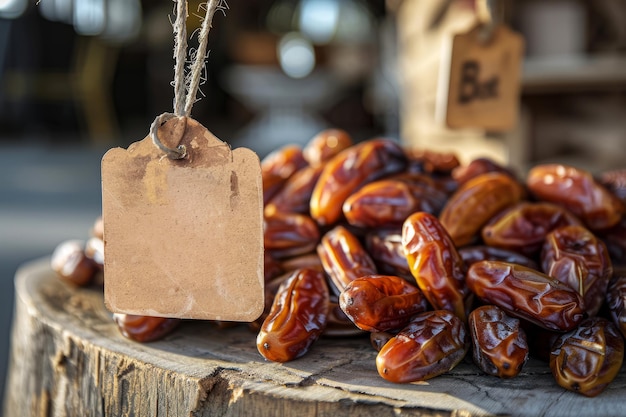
185, 85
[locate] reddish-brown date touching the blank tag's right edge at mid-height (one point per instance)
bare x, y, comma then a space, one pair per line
289, 234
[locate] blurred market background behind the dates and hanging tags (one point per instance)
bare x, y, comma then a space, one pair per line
80, 76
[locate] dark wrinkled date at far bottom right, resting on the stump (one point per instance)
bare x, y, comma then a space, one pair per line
588, 358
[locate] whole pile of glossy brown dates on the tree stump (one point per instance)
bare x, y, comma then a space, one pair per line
435, 260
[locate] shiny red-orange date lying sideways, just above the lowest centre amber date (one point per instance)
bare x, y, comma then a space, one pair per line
378, 303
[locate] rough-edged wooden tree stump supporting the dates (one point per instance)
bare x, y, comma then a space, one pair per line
69, 359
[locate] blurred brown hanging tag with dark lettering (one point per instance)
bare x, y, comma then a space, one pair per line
480, 80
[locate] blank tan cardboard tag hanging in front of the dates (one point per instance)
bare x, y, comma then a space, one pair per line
183, 238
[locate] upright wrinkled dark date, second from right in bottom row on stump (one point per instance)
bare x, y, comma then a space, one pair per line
499, 343
